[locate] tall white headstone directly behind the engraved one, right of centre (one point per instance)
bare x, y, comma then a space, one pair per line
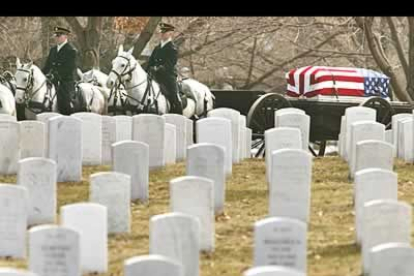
290, 186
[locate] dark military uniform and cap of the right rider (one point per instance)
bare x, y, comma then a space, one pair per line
162, 64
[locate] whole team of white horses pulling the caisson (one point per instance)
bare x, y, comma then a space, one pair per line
126, 90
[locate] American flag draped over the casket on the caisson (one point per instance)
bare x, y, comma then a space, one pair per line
310, 81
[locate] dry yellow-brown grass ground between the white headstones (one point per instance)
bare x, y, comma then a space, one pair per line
331, 240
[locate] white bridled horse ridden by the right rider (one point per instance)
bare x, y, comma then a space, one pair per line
147, 96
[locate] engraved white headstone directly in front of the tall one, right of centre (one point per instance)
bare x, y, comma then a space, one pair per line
280, 241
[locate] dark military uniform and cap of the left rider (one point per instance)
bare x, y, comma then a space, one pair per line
62, 65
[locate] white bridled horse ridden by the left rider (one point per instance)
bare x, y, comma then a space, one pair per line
33, 91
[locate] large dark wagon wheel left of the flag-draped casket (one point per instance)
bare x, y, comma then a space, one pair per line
261, 117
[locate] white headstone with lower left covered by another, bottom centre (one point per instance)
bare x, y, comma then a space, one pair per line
195, 196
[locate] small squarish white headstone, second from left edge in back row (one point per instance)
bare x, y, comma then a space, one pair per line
32, 139
